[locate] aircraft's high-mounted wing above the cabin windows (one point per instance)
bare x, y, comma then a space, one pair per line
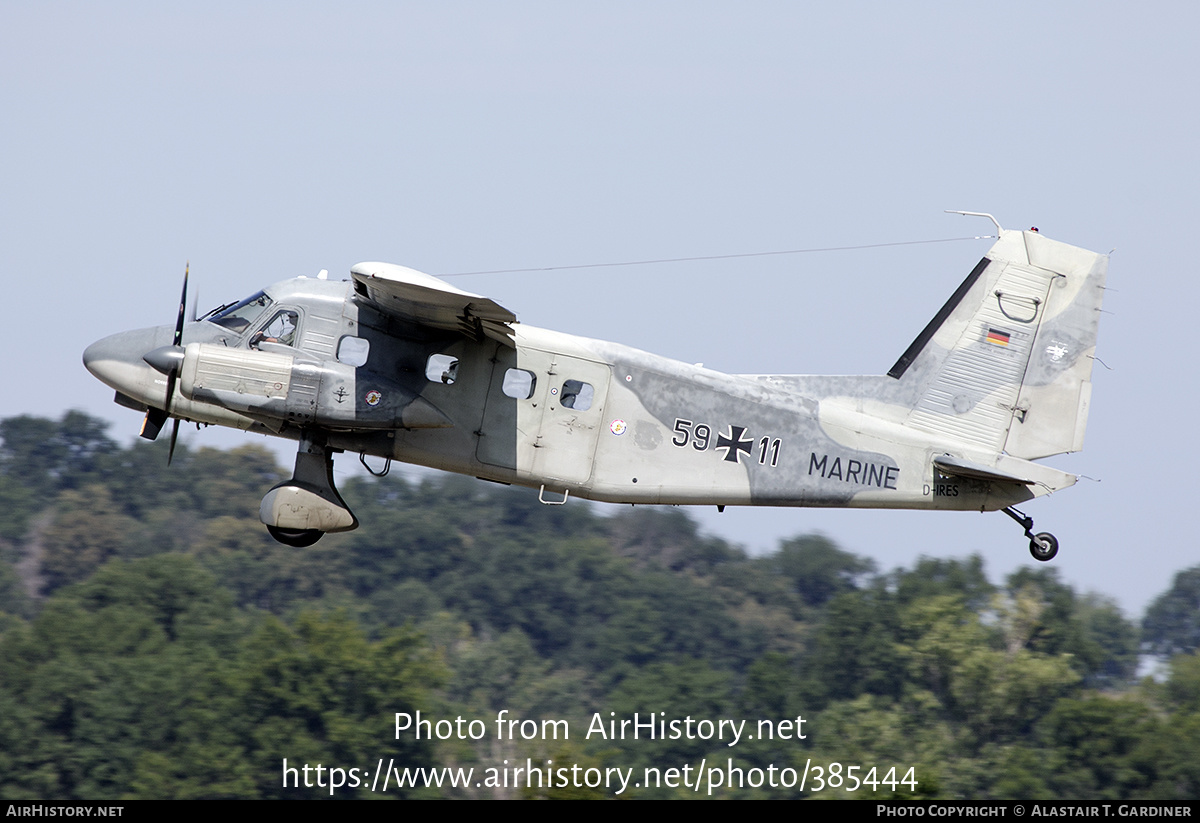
424, 299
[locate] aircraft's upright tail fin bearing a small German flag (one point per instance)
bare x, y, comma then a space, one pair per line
1007, 364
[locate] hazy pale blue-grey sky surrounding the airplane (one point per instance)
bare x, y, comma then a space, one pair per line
266, 141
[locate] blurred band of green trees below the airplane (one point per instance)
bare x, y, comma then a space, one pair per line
155, 642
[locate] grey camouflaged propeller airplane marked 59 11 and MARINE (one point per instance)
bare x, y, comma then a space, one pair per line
403, 367
